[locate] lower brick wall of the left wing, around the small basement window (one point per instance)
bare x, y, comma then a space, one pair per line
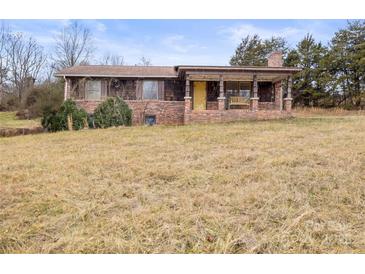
167, 112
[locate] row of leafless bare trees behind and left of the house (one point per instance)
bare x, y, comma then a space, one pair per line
23, 60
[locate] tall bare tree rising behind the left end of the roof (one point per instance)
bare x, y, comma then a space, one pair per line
73, 46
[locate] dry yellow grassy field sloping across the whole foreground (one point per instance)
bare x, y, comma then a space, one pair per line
252, 187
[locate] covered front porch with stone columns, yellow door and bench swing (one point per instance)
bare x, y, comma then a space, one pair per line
227, 89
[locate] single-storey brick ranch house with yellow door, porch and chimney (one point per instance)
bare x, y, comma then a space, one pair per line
186, 94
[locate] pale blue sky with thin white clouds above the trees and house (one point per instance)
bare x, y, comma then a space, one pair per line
176, 42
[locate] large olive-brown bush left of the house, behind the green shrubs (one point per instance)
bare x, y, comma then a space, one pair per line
41, 98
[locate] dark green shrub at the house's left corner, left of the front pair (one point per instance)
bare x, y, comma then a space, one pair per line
57, 120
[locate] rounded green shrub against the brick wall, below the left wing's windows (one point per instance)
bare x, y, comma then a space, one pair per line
112, 112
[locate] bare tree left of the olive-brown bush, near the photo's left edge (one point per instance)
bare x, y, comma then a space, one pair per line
25, 59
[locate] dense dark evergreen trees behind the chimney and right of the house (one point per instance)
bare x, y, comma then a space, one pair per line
332, 75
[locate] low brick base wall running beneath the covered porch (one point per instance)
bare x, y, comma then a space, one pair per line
214, 116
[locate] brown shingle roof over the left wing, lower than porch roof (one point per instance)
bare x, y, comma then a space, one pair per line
119, 71
